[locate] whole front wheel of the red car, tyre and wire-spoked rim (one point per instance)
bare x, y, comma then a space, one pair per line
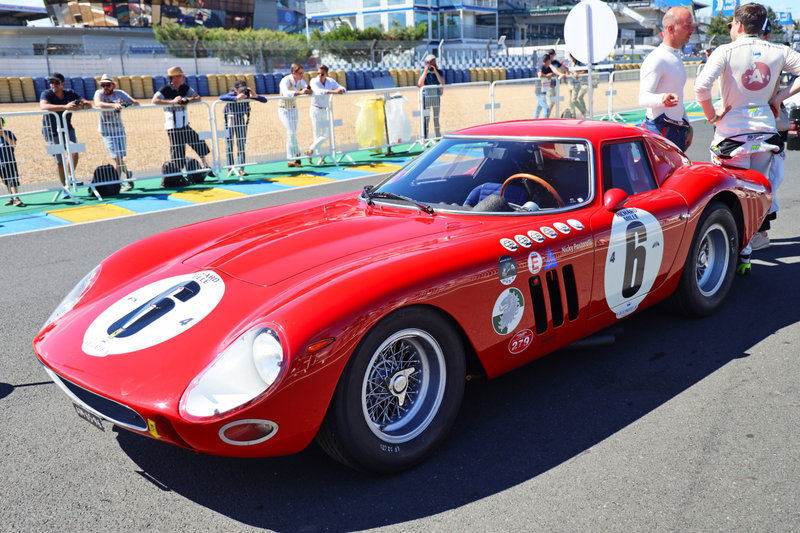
399, 394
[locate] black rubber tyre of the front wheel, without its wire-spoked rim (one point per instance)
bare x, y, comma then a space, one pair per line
358, 443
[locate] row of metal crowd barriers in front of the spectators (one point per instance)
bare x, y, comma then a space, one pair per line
372, 119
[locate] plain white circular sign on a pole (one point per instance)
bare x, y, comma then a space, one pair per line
590, 31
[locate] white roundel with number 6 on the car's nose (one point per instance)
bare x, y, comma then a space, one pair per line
154, 313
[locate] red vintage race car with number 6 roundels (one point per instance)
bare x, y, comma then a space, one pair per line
355, 319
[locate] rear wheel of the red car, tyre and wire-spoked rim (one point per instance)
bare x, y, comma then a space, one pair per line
709, 270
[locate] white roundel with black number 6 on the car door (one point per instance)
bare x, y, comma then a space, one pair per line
635, 250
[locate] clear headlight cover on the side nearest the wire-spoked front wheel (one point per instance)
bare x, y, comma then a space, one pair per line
250, 365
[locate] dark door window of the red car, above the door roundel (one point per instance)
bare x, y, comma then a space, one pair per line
626, 167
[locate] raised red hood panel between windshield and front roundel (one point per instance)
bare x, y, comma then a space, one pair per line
274, 250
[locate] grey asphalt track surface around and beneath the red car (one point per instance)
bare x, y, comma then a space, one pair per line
681, 425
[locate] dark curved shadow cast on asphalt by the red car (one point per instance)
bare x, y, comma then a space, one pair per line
510, 430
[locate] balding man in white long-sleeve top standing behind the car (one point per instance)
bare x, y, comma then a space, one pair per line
662, 78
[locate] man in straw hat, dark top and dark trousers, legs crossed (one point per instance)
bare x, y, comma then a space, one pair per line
175, 96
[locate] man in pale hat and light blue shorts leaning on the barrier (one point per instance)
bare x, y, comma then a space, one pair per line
111, 128
